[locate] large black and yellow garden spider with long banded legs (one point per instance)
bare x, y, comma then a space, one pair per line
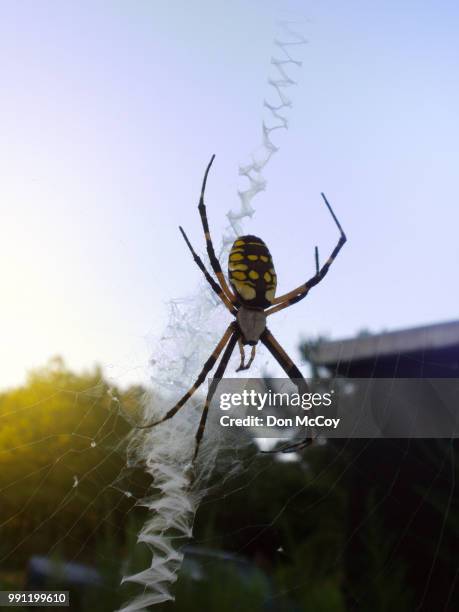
250, 299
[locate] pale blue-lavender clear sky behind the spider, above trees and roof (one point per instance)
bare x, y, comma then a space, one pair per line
110, 112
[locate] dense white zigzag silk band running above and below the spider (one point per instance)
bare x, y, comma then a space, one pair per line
183, 348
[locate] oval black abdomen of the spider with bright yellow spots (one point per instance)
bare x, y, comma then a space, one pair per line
251, 272
